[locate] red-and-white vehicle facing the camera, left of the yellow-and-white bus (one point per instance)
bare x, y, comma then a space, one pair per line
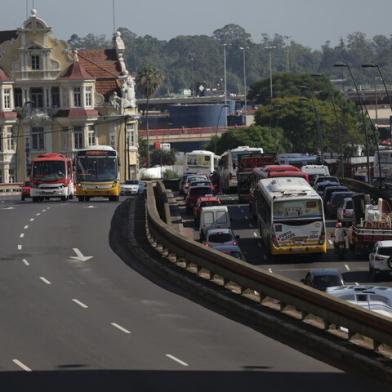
51, 176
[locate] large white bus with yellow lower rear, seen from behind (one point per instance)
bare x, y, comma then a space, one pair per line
290, 216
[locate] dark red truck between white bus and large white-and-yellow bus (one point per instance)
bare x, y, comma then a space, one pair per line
246, 164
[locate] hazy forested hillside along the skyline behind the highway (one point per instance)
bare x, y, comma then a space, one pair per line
184, 61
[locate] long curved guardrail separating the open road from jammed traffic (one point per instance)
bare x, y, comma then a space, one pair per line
289, 296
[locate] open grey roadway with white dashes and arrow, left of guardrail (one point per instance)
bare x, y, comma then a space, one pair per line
67, 319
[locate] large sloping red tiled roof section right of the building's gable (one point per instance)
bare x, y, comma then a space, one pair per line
104, 66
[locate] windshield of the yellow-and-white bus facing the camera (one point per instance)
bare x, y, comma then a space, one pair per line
96, 169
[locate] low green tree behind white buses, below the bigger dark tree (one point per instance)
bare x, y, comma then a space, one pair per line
270, 139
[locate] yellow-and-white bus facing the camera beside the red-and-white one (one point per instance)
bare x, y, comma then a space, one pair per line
97, 173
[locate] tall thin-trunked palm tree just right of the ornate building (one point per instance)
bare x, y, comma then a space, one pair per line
148, 80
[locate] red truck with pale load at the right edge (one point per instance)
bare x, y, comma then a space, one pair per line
371, 223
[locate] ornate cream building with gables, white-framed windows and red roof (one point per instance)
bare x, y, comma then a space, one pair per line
55, 99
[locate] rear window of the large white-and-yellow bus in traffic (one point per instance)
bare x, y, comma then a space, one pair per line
292, 209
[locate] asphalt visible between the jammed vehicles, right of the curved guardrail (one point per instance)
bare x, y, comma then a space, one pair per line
354, 270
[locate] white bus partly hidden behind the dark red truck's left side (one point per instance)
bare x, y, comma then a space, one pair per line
228, 164
